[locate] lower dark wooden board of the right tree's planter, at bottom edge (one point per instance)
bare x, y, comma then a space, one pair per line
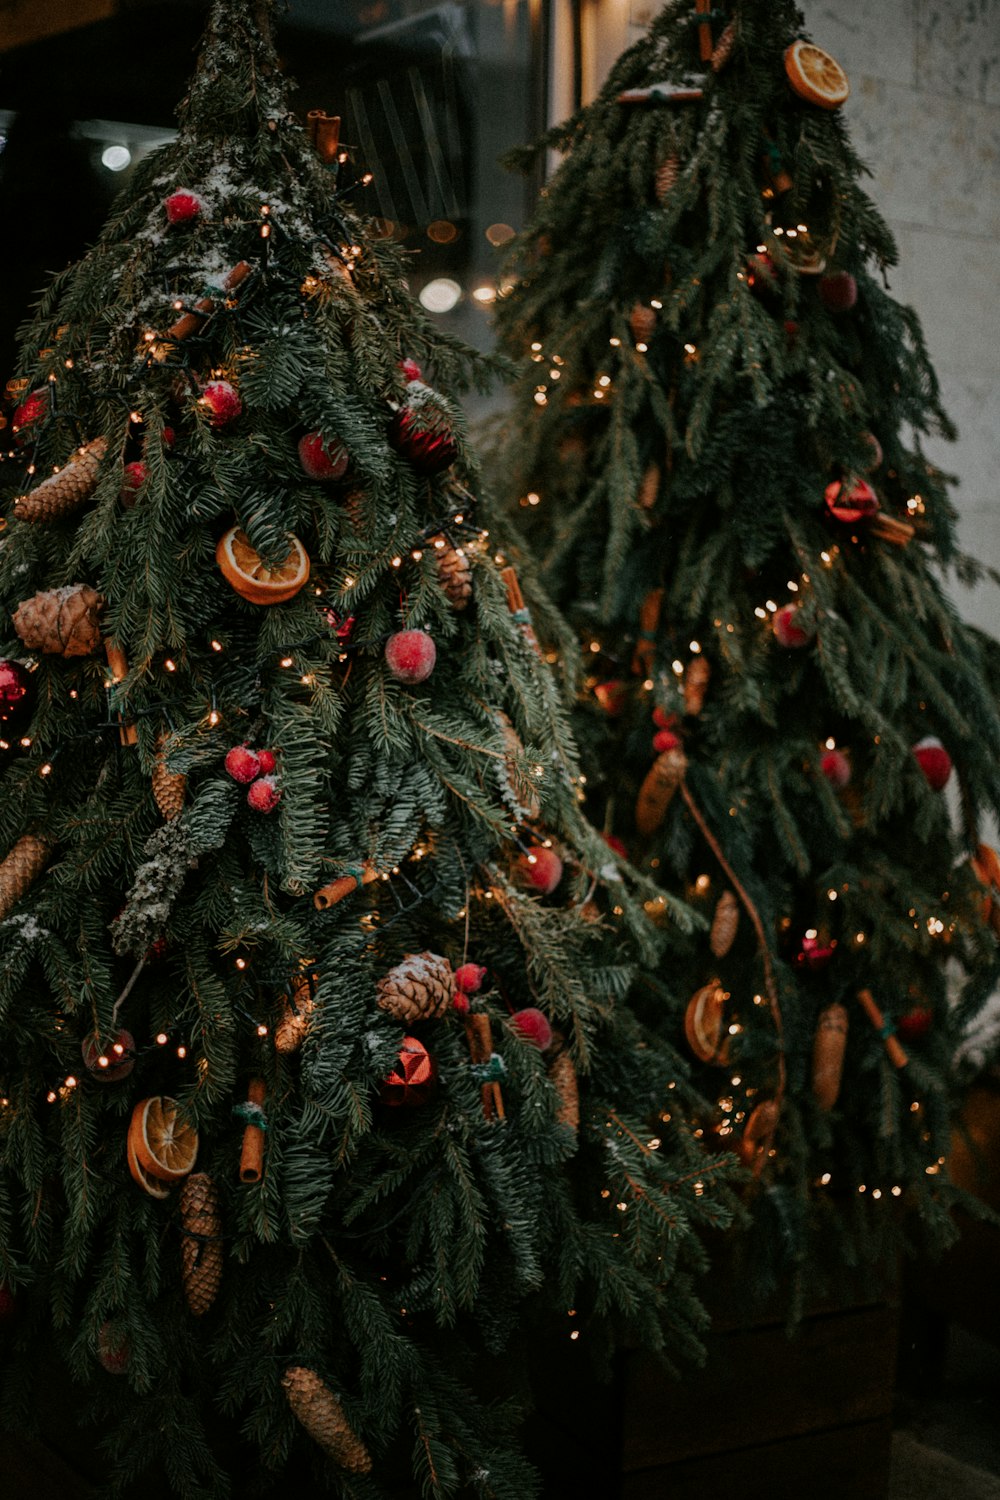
849, 1463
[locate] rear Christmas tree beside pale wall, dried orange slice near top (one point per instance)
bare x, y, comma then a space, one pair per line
717, 452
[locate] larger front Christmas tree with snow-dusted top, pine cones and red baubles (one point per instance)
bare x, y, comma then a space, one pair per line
317, 1091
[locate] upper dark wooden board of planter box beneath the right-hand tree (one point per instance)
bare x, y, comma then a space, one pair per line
759, 1387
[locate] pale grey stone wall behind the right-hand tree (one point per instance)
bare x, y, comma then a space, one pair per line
926, 116
